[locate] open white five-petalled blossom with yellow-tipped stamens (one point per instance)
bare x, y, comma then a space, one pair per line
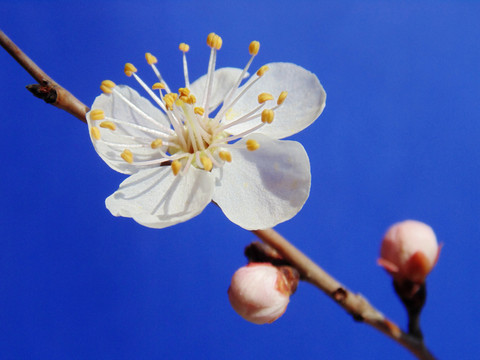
190, 151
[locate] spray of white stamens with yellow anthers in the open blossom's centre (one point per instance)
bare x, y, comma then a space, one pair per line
193, 137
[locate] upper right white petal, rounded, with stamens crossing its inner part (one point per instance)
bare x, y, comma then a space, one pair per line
303, 105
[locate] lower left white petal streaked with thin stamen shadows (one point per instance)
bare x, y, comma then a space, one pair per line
156, 198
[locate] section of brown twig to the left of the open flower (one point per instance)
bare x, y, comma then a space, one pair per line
46, 89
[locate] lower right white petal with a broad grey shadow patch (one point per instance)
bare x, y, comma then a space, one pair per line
260, 189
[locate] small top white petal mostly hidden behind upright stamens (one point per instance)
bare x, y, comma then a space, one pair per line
223, 81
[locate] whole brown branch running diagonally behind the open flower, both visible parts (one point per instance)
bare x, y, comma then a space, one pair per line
354, 304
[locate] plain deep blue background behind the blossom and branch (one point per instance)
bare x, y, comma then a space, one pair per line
399, 139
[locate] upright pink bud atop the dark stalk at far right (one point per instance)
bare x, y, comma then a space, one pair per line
409, 251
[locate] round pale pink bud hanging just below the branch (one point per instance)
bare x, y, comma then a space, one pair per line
260, 292
